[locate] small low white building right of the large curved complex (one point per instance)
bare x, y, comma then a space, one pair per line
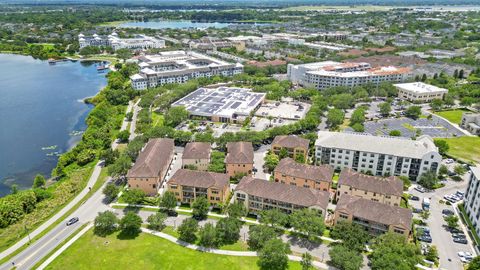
419, 91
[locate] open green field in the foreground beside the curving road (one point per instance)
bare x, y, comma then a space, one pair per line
144, 252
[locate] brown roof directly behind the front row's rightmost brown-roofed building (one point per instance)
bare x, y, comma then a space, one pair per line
387, 186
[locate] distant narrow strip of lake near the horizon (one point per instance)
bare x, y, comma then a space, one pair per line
178, 24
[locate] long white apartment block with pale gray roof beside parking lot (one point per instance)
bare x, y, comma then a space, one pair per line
377, 155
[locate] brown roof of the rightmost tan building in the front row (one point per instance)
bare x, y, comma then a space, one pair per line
375, 211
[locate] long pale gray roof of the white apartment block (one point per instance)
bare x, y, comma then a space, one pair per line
377, 144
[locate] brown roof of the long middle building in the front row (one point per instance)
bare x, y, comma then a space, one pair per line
301, 196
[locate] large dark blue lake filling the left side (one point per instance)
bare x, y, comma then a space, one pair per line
40, 106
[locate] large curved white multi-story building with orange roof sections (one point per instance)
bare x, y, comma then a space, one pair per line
329, 73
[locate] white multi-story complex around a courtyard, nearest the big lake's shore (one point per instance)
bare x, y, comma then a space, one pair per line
179, 67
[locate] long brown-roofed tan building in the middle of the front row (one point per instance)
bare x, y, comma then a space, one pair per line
259, 194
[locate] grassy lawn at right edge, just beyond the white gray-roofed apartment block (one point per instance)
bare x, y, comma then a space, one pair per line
465, 148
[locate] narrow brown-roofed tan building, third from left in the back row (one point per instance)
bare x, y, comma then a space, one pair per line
239, 159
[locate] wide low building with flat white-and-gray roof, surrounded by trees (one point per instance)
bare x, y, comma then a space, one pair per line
222, 104
